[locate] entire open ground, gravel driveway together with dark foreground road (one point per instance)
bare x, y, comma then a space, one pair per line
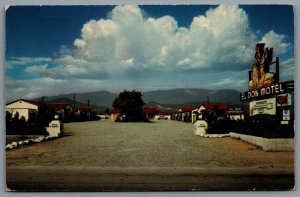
164, 155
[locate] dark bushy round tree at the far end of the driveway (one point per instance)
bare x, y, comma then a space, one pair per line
130, 104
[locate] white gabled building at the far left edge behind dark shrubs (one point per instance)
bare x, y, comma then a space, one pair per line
26, 108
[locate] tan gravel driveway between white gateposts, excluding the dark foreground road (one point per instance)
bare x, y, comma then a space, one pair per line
159, 144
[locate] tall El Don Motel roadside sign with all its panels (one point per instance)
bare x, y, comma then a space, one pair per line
266, 94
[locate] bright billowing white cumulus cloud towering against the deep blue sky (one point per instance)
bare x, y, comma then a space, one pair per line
160, 44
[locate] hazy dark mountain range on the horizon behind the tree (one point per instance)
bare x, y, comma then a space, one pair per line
165, 98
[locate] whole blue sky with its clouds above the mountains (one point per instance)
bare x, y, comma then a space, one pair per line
52, 50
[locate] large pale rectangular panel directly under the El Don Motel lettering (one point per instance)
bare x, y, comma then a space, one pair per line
265, 106
